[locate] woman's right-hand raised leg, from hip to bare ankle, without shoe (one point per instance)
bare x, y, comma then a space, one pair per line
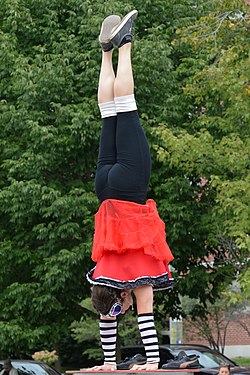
131, 173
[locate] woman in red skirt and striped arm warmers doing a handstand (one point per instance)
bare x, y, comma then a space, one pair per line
130, 248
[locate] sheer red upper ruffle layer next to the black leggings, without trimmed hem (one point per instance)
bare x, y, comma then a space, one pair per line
121, 226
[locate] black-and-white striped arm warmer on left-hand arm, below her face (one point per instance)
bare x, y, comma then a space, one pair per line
108, 332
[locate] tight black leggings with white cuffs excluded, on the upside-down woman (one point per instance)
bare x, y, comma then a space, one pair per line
124, 163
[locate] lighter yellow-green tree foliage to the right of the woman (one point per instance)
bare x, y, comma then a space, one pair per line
210, 152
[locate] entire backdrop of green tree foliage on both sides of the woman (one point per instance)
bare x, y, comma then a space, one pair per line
190, 65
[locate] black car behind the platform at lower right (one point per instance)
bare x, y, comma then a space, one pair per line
209, 359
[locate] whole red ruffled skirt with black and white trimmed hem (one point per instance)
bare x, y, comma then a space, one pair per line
130, 246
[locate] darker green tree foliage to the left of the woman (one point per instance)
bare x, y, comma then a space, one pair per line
49, 138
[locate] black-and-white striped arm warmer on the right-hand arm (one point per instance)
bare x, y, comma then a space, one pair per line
149, 337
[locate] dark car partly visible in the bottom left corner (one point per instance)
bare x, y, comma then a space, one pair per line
28, 367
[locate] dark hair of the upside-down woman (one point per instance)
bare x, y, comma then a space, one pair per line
103, 297
